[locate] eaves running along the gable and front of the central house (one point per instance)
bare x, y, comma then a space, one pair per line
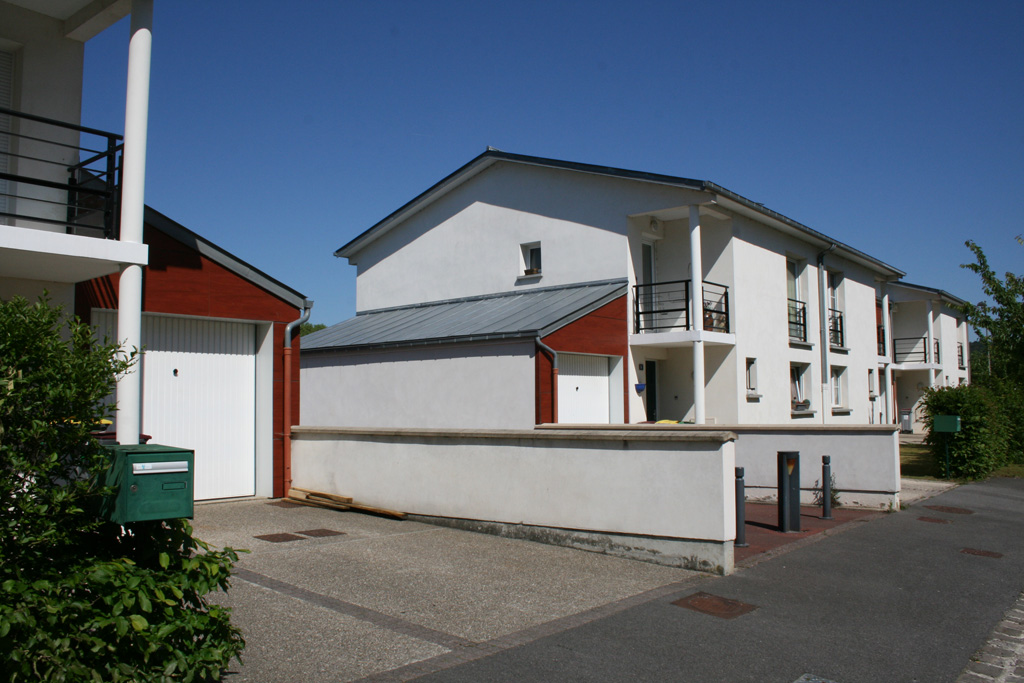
491, 156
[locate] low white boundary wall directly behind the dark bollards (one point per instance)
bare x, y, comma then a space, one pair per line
865, 459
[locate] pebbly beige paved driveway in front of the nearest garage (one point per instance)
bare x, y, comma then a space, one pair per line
382, 594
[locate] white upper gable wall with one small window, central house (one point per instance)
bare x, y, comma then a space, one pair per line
467, 243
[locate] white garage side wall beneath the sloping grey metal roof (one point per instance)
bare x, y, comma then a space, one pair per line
480, 387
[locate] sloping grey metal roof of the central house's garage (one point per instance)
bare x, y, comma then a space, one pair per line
508, 316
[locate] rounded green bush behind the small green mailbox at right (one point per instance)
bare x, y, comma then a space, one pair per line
982, 445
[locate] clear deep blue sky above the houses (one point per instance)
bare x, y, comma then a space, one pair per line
280, 132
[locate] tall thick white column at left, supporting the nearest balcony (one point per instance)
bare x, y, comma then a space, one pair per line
130, 388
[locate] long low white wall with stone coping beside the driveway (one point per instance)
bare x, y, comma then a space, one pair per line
662, 496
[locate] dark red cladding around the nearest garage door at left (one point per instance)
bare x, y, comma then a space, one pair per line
182, 281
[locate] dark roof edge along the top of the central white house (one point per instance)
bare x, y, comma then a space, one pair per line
691, 184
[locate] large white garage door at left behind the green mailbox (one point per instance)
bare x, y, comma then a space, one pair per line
199, 393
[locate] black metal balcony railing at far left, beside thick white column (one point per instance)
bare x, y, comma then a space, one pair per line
58, 174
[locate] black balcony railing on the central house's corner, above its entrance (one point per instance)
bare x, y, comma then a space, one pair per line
663, 307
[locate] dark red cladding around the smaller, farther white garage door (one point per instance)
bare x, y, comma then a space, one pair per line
603, 332
